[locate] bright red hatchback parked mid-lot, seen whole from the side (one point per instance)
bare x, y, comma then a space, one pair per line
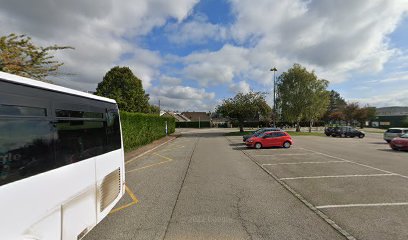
270, 139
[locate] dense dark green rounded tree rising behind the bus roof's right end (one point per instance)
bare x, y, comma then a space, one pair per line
122, 85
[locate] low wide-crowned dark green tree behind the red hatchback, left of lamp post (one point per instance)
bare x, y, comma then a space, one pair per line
244, 107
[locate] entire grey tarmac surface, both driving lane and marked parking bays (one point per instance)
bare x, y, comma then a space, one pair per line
204, 185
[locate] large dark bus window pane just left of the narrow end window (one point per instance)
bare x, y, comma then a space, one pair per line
79, 140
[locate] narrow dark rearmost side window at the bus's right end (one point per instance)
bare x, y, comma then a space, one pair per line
113, 131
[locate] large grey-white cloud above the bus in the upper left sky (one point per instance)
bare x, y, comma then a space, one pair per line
98, 32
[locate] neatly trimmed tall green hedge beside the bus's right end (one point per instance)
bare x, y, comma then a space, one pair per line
139, 129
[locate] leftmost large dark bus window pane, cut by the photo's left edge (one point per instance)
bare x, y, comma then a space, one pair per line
25, 149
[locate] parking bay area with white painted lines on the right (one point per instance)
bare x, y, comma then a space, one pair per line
358, 183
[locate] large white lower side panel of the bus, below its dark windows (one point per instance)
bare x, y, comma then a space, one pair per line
29, 201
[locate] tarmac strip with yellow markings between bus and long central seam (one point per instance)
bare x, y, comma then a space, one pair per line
153, 182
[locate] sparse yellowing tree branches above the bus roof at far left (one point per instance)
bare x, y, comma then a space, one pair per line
18, 55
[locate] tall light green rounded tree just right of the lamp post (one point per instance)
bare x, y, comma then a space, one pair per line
301, 95
